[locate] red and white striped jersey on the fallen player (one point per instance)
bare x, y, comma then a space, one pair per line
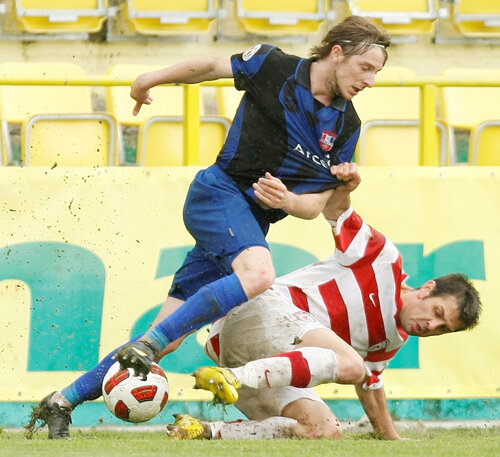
355, 292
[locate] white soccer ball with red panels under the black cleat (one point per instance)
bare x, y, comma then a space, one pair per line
130, 398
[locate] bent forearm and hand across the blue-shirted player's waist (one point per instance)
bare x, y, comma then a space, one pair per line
272, 193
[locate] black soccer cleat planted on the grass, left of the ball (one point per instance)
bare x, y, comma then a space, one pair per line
55, 416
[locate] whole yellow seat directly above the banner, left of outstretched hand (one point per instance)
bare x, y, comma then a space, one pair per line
70, 140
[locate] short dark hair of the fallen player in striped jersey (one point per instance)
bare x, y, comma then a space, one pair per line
461, 287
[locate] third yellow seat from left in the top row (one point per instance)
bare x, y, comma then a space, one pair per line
279, 17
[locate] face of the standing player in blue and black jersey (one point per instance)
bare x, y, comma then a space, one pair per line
355, 73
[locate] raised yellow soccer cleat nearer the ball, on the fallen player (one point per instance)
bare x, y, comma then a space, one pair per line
220, 381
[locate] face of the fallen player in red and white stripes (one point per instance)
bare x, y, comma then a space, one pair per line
428, 315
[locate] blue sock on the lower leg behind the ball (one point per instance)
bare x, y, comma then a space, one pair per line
89, 385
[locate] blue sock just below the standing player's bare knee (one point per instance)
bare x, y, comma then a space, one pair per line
209, 303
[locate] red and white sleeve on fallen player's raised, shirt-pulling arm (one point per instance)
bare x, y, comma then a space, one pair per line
356, 242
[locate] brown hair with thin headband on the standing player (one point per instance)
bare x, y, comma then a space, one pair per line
355, 35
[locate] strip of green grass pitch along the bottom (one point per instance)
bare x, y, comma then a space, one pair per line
425, 443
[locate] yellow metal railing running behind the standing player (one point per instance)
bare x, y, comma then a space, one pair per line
429, 149
